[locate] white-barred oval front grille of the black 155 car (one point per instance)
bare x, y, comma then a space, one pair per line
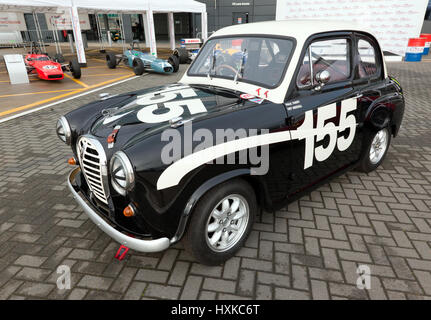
93, 163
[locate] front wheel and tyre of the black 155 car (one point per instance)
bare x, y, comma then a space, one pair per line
221, 222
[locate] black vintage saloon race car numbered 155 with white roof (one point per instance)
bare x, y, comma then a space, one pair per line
304, 102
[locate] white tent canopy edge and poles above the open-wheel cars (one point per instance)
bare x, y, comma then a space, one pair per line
145, 7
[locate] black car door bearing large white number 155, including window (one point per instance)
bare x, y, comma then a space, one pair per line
323, 117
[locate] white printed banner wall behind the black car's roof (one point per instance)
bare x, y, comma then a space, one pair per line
393, 22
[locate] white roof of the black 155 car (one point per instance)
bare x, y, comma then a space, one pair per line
299, 29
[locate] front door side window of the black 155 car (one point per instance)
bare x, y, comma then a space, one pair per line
331, 55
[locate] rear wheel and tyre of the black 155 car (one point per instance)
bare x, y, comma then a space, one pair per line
376, 145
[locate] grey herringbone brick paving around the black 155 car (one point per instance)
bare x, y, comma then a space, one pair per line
310, 251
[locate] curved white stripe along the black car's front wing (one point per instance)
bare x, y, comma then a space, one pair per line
176, 171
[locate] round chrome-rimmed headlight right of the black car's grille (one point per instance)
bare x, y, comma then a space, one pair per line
122, 175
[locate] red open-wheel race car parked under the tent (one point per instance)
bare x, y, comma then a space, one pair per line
44, 67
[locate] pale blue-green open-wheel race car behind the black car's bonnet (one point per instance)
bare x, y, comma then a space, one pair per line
141, 61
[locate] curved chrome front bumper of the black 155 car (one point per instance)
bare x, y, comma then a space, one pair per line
130, 242
